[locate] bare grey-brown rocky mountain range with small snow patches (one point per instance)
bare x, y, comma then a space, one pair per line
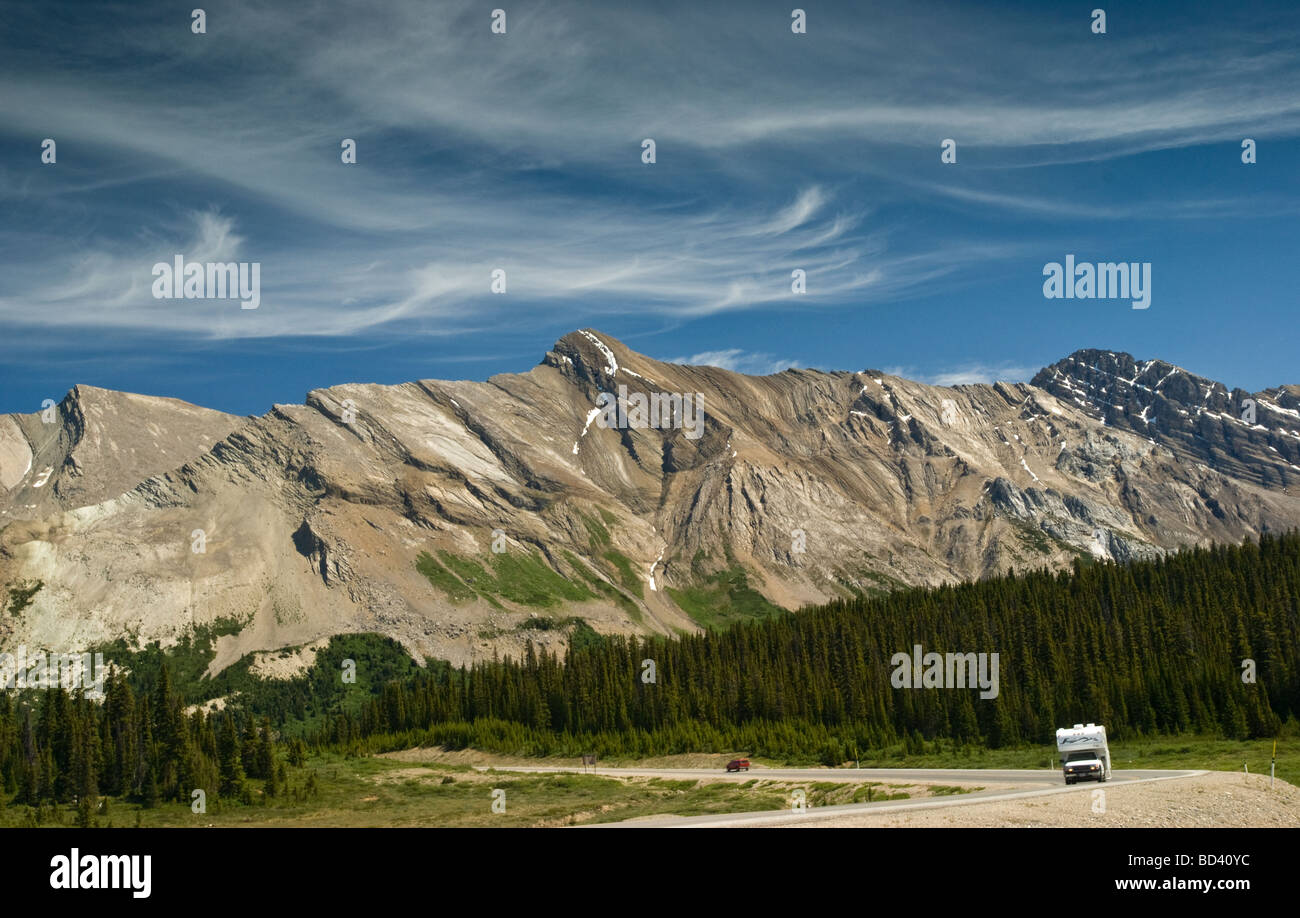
467, 518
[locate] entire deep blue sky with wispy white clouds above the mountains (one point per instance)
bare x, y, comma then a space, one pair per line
523, 151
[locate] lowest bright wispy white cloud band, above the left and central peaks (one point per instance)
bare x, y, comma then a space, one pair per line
678, 265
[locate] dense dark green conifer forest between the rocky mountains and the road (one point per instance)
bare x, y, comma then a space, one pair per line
1145, 648
